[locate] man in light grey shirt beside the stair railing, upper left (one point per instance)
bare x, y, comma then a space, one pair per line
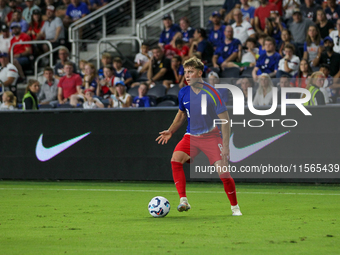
53, 29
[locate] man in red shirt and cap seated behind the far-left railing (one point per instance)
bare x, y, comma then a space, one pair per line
21, 51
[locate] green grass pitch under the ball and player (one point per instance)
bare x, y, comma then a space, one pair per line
112, 218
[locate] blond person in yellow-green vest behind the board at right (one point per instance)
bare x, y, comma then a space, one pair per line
314, 84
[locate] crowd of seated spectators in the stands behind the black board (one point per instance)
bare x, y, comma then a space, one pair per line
283, 43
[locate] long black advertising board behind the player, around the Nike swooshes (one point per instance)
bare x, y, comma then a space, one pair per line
122, 144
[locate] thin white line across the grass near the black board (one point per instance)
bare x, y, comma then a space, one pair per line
174, 191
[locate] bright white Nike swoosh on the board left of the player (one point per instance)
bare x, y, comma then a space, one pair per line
44, 154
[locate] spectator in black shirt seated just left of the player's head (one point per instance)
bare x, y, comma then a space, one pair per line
159, 67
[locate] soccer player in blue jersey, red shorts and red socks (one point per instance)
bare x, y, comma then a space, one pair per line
200, 135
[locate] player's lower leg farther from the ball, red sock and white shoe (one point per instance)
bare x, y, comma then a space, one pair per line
229, 188
